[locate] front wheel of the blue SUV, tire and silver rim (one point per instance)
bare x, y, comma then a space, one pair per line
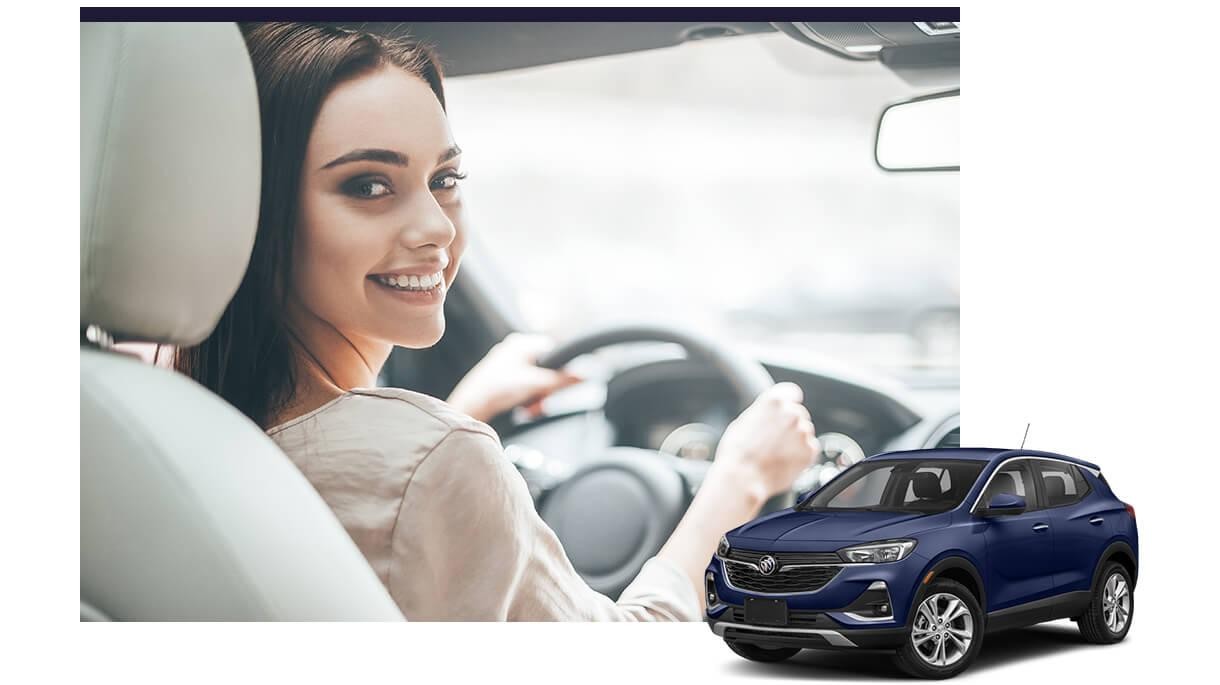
910, 658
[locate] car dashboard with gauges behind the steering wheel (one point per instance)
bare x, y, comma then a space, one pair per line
681, 407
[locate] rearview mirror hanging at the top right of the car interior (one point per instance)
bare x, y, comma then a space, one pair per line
920, 135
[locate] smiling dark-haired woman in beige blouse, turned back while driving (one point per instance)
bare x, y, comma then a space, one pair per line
361, 236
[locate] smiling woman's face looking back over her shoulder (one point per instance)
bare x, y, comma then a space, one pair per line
381, 230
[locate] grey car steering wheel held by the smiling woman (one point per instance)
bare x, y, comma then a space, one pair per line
617, 511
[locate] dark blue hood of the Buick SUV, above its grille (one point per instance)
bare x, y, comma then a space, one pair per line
839, 527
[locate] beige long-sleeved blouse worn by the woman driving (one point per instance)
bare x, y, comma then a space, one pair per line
448, 523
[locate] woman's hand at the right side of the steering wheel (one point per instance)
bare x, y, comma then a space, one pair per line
769, 445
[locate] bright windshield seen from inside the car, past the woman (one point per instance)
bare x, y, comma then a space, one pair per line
727, 185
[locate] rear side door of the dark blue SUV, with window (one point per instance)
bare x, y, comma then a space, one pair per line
1078, 523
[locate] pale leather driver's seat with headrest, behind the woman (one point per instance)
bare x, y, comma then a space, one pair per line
187, 510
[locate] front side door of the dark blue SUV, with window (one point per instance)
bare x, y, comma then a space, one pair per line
1021, 549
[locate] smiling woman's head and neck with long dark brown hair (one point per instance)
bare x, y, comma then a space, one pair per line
315, 285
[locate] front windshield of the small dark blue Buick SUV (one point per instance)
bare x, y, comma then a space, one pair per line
912, 485
